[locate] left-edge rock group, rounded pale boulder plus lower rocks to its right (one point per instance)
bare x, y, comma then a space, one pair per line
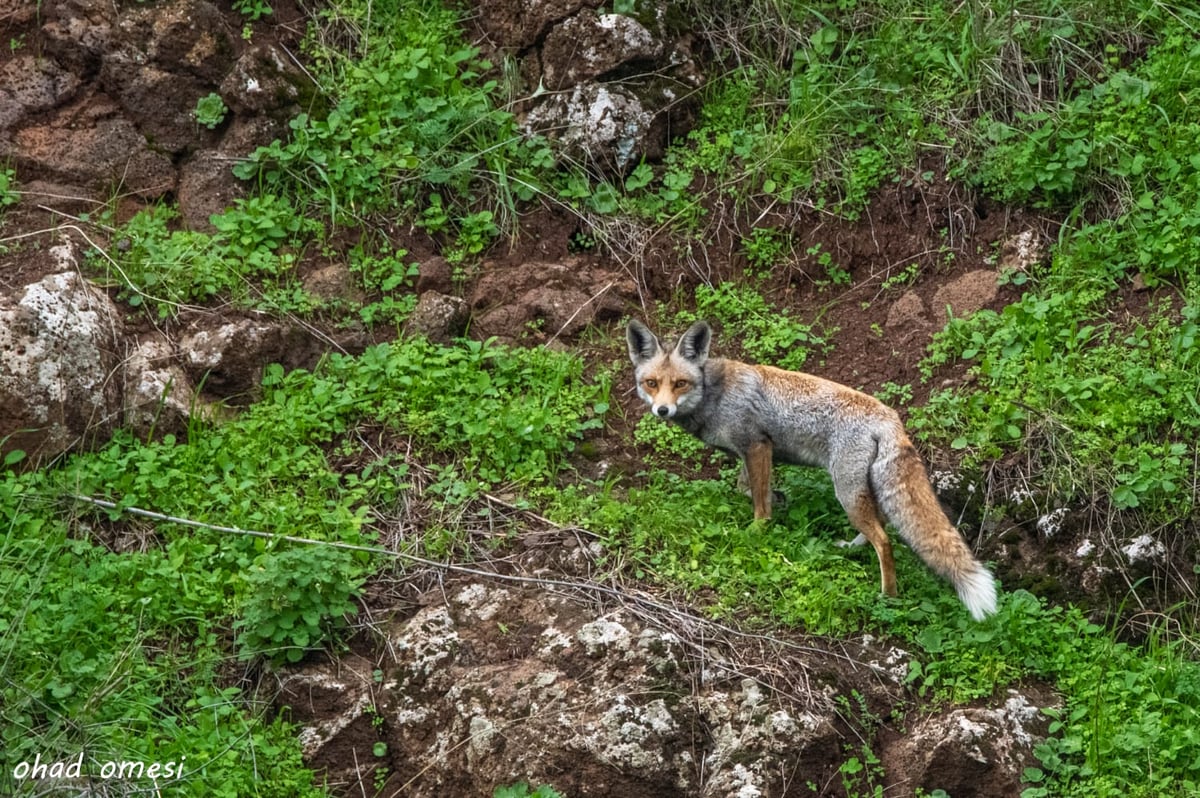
70, 371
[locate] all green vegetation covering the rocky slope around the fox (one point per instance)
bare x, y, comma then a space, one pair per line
117, 632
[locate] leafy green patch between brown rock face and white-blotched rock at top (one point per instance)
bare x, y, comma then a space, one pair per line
410, 119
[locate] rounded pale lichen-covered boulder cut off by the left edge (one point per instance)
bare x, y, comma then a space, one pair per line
59, 351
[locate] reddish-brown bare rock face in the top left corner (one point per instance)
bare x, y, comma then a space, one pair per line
110, 103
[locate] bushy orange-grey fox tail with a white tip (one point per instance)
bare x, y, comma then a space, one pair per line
904, 494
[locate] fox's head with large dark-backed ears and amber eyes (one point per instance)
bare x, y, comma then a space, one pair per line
670, 382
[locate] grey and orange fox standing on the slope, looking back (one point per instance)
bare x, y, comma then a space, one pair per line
765, 416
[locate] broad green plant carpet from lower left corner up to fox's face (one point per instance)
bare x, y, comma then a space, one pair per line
118, 650
